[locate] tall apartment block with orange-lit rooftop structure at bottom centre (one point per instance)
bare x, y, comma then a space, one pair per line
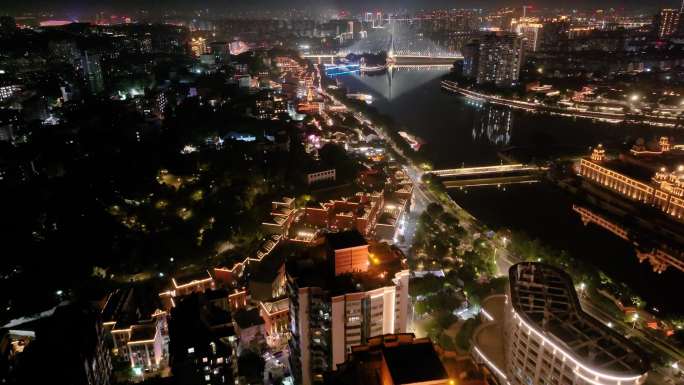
330, 313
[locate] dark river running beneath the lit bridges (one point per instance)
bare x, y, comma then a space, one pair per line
460, 132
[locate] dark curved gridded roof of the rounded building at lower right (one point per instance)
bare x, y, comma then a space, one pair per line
545, 297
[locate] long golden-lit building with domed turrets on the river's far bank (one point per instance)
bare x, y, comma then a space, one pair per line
642, 176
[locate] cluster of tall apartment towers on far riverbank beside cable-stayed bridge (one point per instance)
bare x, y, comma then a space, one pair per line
494, 58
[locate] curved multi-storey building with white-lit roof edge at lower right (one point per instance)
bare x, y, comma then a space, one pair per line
538, 334
